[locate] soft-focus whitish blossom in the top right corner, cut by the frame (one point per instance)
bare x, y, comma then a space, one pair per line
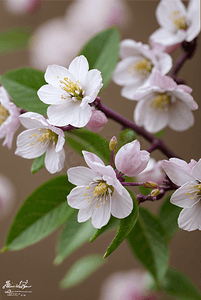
177, 23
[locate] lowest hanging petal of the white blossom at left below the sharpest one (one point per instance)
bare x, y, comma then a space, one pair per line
54, 161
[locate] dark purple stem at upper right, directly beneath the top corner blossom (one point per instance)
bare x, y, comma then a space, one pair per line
189, 50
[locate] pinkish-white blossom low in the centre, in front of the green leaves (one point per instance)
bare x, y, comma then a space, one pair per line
98, 193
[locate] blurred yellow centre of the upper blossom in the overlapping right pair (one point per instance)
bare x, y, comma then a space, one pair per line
142, 67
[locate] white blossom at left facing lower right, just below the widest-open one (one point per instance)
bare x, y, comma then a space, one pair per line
41, 137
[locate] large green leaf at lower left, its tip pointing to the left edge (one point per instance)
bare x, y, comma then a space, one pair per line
40, 214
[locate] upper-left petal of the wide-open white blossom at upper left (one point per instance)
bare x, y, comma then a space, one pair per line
54, 74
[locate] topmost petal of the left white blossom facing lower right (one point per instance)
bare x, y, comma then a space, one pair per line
32, 120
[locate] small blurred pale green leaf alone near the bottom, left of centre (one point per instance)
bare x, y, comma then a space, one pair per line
81, 270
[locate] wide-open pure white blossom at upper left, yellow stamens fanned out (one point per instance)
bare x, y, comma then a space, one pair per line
69, 92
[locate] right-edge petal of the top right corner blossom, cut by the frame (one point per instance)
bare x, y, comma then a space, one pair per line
193, 17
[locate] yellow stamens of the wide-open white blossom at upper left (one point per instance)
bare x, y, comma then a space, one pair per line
73, 88
